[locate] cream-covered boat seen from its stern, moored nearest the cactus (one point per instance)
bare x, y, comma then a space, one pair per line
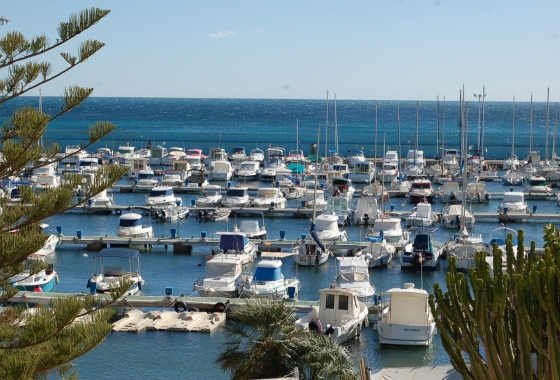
406, 318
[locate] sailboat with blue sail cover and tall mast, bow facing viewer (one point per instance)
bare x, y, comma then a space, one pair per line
312, 252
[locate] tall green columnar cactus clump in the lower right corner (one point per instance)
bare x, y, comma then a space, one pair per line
506, 325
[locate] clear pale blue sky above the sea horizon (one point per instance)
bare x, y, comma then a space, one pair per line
394, 50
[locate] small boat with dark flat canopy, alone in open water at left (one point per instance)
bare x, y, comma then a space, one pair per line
107, 274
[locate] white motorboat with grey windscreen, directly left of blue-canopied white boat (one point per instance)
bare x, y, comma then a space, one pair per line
223, 277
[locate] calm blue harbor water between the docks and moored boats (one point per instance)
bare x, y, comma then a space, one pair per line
190, 355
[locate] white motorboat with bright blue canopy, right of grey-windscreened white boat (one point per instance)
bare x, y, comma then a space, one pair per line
269, 282
